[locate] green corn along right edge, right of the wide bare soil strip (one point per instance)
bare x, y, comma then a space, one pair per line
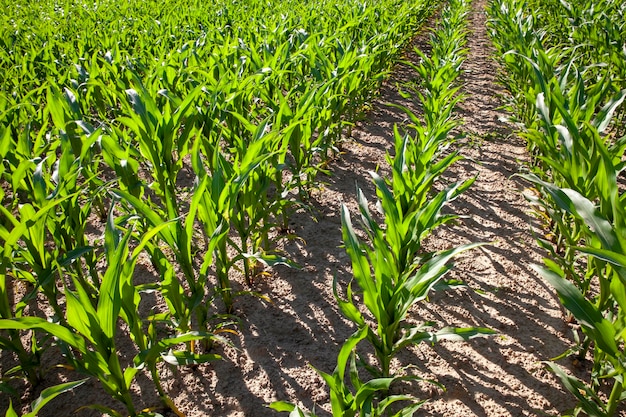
564, 69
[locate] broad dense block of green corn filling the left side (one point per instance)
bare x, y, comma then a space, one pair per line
130, 134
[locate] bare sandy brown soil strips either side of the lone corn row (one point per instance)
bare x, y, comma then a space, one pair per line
280, 341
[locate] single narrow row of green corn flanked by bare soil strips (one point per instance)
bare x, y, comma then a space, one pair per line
392, 270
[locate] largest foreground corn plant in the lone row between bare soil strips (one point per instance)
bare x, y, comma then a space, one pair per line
392, 284
